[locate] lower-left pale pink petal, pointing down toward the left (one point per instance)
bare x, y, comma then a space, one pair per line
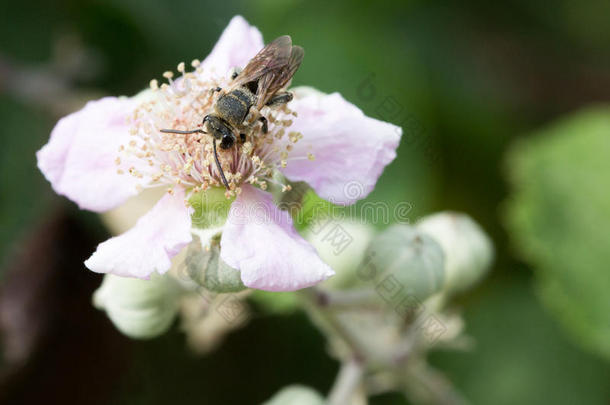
150, 245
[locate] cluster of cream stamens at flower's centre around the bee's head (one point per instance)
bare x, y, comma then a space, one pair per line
188, 159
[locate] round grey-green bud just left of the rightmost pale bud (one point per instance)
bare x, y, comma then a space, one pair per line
401, 262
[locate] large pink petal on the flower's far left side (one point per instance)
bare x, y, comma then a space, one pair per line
79, 159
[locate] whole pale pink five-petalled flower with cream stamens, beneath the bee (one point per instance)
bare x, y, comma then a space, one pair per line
113, 148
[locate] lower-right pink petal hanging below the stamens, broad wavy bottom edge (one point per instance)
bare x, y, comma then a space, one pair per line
260, 241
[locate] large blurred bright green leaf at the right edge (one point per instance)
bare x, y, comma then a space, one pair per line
559, 215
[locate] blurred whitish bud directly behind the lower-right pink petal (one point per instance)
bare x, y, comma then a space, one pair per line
341, 244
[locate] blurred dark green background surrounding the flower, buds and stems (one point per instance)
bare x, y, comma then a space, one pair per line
466, 80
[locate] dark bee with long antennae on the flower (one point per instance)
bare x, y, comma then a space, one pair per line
261, 83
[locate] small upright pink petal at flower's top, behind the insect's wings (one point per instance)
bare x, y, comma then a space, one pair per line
237, 45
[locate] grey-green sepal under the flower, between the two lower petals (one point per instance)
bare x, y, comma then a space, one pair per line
206, 268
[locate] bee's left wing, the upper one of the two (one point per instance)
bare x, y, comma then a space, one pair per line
271, 58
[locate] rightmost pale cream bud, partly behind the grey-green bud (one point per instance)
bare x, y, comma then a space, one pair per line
468, 250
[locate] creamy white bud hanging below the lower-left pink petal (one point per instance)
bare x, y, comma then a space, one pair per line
141, 309
